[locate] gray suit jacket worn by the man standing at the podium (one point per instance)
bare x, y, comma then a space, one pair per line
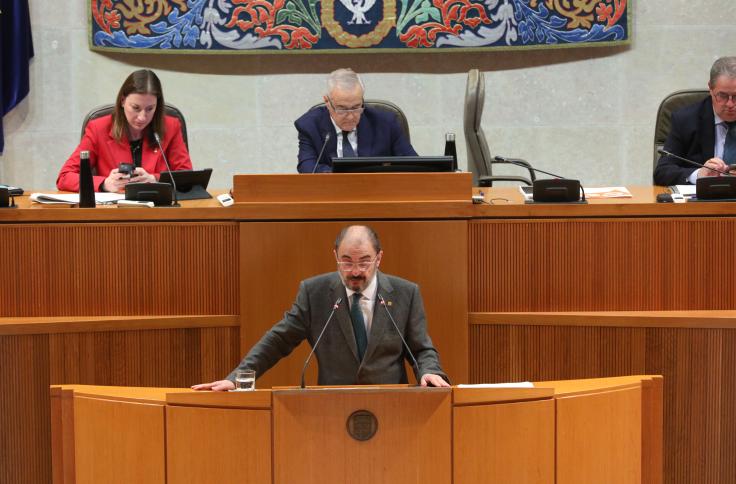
337, 352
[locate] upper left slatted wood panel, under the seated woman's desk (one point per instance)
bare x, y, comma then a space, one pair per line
119, 269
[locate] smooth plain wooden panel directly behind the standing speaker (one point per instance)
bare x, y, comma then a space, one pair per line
276, 256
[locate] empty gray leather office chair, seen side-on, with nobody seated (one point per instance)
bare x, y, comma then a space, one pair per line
480, 160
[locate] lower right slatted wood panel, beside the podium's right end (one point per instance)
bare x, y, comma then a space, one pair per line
697, 365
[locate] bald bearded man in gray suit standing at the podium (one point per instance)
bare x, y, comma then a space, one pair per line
361, 345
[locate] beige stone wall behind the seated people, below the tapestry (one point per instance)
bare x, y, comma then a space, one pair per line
585, 113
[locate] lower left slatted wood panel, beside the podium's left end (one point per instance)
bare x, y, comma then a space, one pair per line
30, 363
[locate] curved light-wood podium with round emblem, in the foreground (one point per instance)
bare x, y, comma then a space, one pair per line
580, 431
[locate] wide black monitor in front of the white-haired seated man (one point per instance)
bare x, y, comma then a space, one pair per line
392, 164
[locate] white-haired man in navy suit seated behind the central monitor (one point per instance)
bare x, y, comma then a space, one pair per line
354, 130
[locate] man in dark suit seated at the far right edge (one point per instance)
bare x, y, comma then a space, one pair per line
704, 132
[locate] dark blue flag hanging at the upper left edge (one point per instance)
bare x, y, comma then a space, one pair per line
16, 51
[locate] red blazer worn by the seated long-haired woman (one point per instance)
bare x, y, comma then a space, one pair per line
105, 153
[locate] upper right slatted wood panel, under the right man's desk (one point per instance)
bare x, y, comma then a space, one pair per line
600, 265
